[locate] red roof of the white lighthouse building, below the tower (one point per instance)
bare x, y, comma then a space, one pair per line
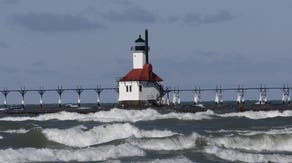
145, 74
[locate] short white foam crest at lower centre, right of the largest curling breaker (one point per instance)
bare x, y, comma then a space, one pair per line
179, 142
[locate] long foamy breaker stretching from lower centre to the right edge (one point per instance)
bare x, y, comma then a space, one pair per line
262, 141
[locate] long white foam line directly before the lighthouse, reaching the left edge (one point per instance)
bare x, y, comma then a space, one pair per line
115, 115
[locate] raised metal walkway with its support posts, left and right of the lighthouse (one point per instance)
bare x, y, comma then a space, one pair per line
164, 92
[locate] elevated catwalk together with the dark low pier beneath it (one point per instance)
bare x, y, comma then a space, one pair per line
239, 104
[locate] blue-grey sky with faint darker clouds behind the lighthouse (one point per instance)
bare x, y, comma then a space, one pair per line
87, 42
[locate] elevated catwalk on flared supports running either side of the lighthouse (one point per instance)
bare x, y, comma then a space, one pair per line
167, 93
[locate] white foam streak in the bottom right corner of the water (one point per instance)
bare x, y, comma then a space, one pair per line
236, 156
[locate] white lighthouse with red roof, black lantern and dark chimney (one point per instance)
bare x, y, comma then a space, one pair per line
140, 86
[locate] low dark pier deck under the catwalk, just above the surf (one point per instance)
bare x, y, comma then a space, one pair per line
186, 108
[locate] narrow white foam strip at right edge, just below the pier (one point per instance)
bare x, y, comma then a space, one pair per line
258, 114
